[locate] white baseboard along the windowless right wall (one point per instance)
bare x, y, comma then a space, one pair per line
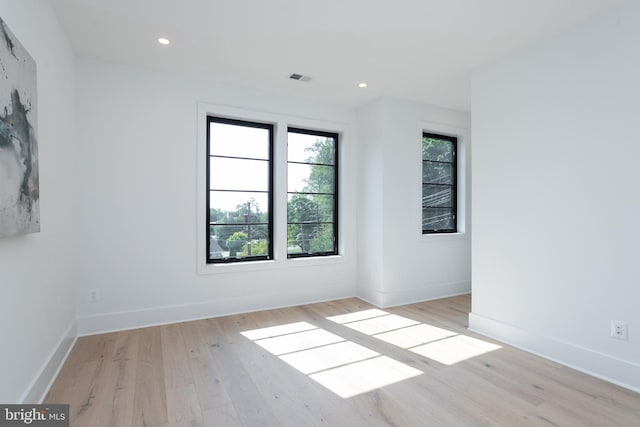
606, 367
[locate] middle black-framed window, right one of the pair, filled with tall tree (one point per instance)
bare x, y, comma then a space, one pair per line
312, 204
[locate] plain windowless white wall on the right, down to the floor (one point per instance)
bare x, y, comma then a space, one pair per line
556, 202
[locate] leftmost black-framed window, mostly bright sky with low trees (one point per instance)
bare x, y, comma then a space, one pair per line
239, 190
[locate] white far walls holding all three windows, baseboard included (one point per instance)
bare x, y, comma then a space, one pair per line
139, 190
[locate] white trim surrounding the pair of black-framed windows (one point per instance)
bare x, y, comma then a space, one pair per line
281, 120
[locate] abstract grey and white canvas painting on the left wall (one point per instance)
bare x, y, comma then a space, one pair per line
19, 184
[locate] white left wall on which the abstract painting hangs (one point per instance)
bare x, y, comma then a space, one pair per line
36, 312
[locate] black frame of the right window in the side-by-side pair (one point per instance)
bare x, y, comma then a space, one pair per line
335, 194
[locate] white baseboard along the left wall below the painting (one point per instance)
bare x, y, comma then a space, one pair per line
37, 390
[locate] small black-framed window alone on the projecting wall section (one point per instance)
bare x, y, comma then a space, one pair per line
439, 187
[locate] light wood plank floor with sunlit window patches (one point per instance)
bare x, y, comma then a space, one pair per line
207, 373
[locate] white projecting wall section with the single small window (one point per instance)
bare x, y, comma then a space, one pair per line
396, 263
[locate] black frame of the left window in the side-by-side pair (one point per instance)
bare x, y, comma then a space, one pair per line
270, 127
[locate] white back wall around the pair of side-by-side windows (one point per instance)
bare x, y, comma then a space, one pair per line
137, 198
